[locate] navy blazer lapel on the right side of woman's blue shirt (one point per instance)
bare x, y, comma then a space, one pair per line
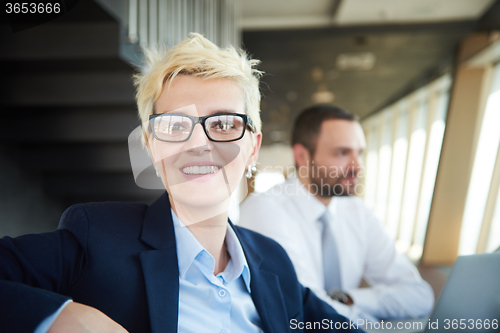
266, 291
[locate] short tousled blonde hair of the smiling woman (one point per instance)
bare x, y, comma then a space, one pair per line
197, 56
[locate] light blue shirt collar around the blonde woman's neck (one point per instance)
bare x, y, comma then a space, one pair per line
188, 249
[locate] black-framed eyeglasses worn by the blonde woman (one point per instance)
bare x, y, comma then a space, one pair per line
220, 127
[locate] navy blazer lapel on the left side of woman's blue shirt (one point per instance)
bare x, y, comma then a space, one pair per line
160, 267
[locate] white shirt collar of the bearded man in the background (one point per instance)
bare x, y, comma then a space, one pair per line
310, 207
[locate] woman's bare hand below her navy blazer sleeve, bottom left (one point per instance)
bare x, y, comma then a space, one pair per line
79, 318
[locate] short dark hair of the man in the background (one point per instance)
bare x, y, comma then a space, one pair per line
308, 124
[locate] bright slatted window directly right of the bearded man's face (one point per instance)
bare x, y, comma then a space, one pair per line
404, 144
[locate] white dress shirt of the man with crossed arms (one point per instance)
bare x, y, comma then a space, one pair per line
289, 214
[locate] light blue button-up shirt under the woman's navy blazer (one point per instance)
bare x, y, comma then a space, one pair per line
209, 303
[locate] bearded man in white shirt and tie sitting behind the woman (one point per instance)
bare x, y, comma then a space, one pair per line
332, 238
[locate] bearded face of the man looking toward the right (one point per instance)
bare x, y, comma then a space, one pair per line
335, 166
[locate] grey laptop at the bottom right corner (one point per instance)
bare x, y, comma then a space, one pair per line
469, 301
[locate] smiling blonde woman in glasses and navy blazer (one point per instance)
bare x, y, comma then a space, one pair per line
179, 264
